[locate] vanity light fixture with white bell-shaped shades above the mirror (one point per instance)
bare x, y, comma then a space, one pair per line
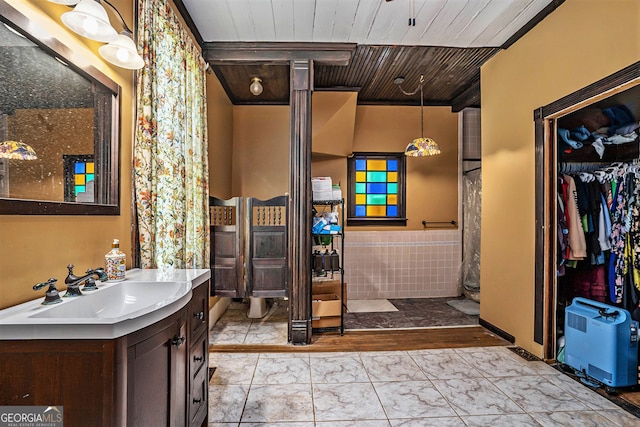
89, 19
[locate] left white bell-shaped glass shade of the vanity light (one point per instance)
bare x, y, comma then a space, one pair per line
90, 20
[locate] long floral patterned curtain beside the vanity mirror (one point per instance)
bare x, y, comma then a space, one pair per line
170, 165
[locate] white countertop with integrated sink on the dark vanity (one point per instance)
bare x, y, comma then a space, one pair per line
146, 296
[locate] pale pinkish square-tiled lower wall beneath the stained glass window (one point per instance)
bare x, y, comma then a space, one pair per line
402, 264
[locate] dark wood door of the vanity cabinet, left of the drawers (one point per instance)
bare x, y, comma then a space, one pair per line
157, 378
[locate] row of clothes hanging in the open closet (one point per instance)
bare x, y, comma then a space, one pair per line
598, 235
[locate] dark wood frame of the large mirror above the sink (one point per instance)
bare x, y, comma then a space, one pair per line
110, 175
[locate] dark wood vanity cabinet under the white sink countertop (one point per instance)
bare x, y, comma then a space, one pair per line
157, 376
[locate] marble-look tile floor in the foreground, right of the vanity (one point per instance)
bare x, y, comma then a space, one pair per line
487, 386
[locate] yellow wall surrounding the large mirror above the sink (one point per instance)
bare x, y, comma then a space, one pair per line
35, 248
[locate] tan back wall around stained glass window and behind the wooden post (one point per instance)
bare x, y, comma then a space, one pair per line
261, 151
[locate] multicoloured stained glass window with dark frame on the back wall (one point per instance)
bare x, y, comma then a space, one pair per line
376, 189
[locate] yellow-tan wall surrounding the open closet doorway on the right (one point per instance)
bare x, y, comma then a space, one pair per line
573, 47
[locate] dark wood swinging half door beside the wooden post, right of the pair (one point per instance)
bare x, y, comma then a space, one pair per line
267, 247
